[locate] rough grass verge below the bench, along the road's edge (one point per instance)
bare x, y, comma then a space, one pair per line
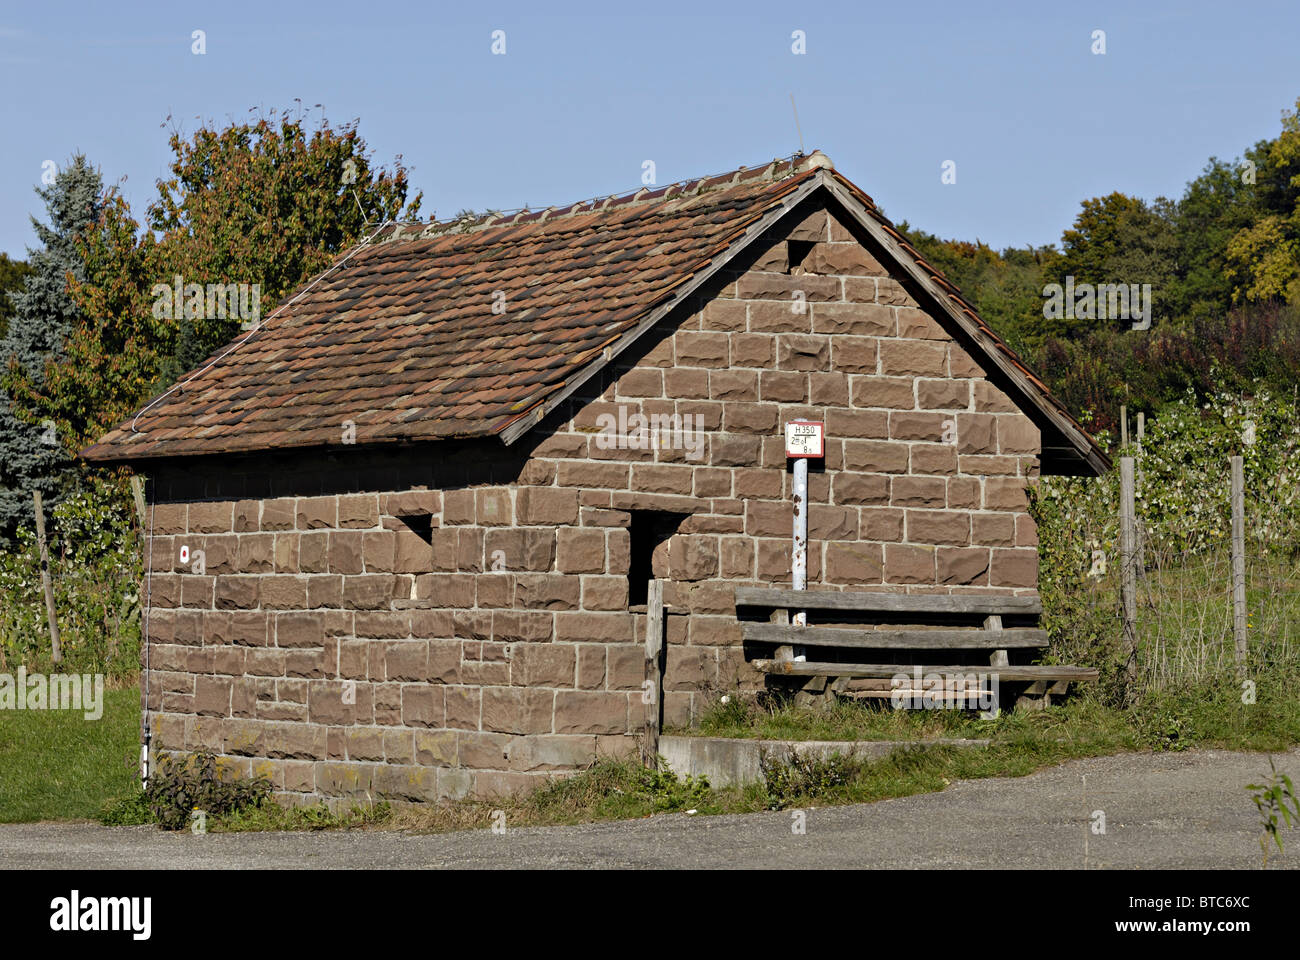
1207, 716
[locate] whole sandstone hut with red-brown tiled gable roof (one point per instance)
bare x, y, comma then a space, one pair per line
402, 530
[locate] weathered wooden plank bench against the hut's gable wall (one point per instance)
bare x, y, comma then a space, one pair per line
935, 624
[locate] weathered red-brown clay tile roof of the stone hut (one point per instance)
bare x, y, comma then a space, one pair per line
471, 328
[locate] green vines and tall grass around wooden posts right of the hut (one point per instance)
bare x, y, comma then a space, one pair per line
1185, 617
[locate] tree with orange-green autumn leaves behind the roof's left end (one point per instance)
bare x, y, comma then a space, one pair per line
267, 202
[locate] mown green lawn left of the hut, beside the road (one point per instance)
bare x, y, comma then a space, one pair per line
58, 766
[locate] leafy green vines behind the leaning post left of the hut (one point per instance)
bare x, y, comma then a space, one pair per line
97, 572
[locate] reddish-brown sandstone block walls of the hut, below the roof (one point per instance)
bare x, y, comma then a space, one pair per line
447, 621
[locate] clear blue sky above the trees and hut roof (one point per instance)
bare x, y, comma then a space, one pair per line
586, 93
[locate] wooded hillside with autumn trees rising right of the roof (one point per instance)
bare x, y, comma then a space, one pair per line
1224, 267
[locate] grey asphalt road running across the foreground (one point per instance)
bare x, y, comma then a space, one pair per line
1165, 811
